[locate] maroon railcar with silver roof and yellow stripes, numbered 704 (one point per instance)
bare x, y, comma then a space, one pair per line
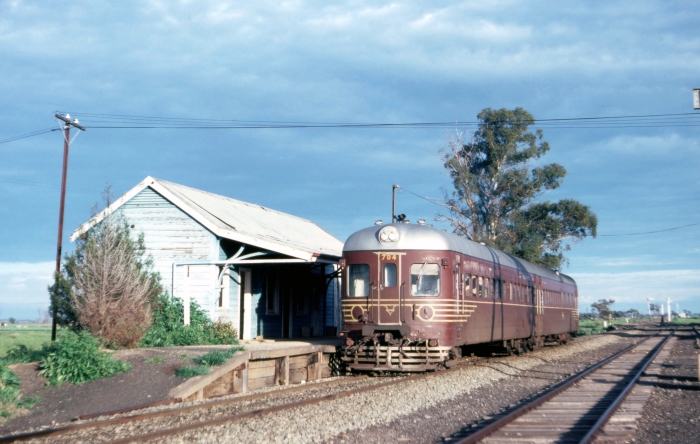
413, 295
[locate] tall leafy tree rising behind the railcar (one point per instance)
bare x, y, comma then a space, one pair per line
496, 187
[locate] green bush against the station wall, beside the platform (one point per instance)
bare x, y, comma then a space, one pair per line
168, 329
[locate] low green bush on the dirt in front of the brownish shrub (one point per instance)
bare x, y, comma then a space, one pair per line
77, 358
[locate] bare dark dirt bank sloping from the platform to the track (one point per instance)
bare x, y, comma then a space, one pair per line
145, 383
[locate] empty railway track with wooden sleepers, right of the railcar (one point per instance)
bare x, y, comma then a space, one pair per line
576, 409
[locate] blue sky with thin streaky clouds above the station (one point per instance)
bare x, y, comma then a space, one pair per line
353, 62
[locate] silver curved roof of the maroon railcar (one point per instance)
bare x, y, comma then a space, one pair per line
425, 237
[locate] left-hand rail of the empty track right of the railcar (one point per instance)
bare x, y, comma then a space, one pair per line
550, 393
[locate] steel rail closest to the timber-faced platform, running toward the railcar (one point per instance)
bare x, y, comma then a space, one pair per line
53, 432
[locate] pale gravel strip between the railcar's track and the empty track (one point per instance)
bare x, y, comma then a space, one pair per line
346, 418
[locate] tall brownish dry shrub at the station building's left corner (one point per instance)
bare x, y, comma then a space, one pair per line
113, 288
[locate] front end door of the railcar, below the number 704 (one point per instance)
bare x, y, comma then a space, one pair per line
390, 288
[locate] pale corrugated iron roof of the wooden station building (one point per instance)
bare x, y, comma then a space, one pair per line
239, 221
